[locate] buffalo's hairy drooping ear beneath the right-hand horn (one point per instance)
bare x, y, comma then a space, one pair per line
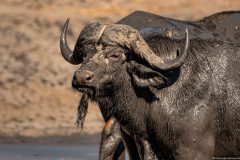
145, 77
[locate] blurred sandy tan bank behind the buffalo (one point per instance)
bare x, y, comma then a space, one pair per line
37, 103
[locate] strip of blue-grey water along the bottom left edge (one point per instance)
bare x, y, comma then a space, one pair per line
48, 152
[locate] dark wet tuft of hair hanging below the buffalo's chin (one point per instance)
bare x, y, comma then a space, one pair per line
82, 111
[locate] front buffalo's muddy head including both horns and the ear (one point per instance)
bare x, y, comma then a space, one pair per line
106, 51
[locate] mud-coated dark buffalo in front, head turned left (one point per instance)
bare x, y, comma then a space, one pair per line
158, 86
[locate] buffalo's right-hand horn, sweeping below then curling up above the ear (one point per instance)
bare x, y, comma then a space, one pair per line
143, 50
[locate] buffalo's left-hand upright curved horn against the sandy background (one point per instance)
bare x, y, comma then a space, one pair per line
66, 52
